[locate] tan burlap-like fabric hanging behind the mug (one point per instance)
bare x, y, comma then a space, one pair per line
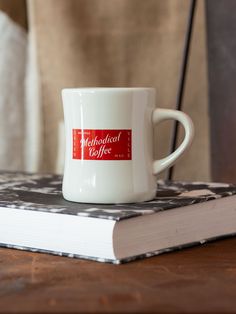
120, 43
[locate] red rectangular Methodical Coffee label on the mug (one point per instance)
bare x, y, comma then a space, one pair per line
102, 144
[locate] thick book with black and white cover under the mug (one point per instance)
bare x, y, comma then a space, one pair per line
35, 217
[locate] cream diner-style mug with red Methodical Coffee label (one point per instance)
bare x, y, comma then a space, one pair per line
109, 144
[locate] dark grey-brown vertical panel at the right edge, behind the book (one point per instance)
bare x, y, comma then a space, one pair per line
221, 39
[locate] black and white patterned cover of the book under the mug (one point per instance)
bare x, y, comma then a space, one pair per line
42, 192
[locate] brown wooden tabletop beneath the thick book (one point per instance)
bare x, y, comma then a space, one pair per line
196, 280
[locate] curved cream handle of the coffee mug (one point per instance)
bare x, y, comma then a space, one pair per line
160, 115
